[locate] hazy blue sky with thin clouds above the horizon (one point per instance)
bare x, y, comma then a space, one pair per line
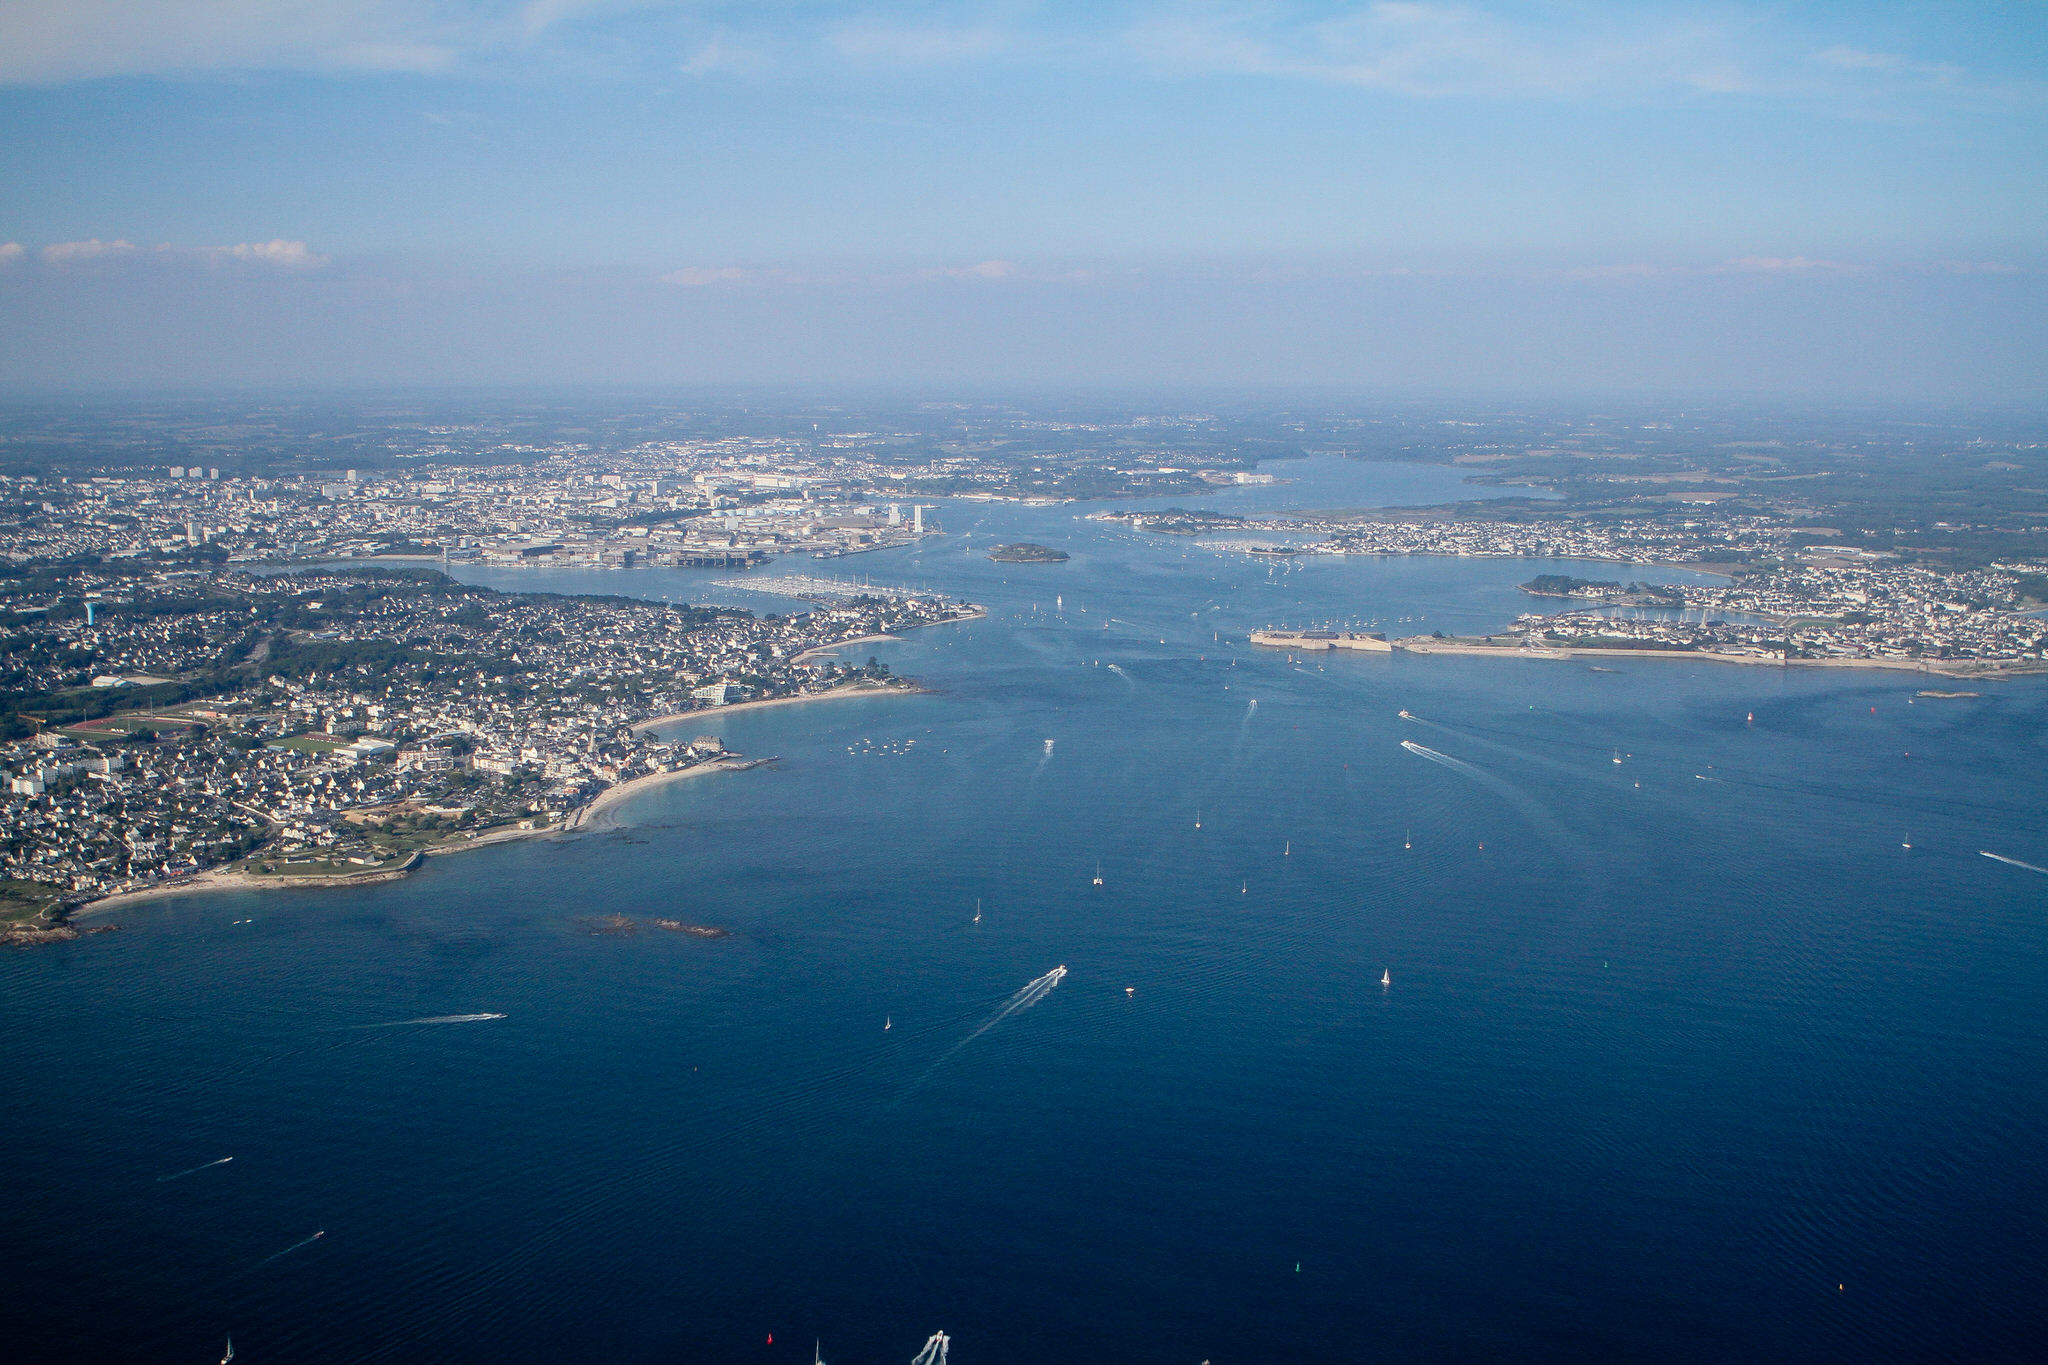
853, 191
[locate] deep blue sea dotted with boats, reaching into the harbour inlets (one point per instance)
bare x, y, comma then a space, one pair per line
1680, 1059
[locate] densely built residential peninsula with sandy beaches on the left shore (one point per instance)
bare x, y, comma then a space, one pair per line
341, 723
